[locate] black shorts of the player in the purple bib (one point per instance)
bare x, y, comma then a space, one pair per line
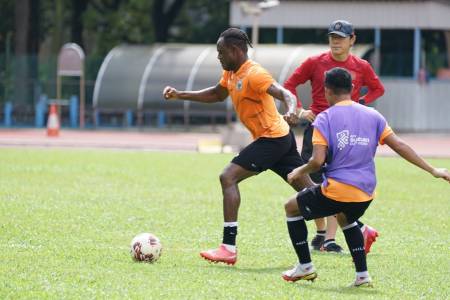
313, 204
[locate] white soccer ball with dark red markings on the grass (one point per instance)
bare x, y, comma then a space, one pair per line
146, 247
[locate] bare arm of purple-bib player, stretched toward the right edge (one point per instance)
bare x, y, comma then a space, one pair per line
405, 151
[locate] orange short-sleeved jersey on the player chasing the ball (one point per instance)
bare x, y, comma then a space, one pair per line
254, 106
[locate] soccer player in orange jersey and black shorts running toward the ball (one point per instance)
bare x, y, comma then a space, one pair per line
252, 90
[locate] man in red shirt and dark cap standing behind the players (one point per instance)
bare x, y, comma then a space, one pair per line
341, 38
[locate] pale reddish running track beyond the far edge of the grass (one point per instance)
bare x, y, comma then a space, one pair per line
427, 145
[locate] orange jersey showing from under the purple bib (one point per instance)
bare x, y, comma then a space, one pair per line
340, 191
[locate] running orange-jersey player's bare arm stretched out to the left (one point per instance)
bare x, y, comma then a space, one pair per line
209, 95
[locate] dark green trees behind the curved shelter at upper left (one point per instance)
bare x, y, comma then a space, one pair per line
101, 25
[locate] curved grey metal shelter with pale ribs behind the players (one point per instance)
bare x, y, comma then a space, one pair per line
133, 77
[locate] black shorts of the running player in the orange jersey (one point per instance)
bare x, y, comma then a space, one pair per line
277, 154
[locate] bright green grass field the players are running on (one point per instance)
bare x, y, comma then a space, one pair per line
67, 218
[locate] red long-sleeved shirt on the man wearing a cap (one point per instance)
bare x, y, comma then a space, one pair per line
314, 69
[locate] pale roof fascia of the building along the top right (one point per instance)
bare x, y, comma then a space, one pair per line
363, 14
